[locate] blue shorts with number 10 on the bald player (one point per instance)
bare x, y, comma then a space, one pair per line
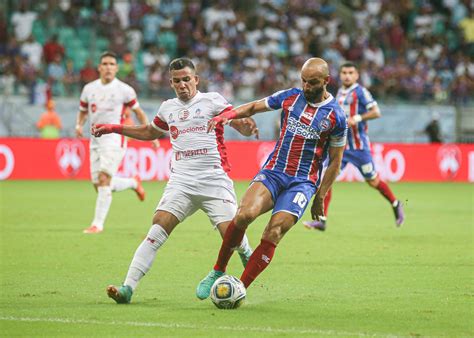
290, 194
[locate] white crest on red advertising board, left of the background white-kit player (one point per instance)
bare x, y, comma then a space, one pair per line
70, 155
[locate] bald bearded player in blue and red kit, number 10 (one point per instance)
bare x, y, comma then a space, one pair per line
313, 127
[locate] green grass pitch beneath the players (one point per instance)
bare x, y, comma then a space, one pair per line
363, 276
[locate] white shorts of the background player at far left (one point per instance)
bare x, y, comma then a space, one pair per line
105, 160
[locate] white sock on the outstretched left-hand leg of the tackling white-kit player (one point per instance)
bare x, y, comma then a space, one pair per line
145, 255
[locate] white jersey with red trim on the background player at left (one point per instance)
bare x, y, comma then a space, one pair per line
105, 103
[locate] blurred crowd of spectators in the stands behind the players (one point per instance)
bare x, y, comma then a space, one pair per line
415, 50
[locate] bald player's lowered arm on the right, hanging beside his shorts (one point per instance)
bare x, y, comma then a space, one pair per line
335, 159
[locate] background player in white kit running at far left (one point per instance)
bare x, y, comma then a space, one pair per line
105, 100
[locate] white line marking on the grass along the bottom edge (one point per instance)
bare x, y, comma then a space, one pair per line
289, 330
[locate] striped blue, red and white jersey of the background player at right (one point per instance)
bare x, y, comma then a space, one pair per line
356, 100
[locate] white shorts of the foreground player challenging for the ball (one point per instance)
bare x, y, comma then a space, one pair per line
182, 203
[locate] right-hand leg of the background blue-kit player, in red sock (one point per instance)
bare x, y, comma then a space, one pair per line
363, 161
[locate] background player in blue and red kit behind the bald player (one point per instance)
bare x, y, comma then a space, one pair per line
359, 107
